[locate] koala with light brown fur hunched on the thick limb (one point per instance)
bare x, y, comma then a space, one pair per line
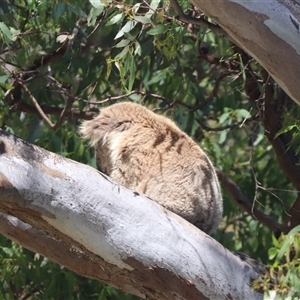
148, 153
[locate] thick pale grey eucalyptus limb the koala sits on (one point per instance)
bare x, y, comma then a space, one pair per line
130, 241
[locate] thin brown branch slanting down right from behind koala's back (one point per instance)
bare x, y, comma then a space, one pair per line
243, 201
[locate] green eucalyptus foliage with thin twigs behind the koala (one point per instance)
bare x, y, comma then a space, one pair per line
69, 59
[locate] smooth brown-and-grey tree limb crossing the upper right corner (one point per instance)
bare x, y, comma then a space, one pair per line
268, 30
